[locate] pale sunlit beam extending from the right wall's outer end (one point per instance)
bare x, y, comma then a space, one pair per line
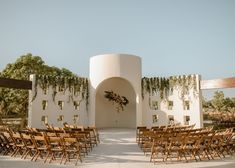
218, 83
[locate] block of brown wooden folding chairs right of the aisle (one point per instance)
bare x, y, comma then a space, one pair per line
189, 144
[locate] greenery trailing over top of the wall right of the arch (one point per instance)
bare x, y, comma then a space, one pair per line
162, 86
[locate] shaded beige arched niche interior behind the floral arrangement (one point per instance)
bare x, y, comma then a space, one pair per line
106, 114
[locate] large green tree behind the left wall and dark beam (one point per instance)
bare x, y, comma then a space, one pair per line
15, 101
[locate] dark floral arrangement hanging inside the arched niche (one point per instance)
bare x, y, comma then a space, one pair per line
120, 101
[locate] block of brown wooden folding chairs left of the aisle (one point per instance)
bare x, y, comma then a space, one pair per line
47, 144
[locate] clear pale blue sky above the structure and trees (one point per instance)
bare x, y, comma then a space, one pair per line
173, 37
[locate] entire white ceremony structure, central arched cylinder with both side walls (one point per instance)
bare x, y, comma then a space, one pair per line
120, 74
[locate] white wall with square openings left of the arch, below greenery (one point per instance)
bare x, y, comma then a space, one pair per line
53, 111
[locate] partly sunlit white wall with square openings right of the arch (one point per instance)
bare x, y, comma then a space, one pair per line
195, 111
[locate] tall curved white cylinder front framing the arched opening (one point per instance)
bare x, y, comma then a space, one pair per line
107, 66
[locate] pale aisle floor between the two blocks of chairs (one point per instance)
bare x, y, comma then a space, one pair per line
117, 149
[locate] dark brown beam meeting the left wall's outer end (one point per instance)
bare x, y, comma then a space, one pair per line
16, 84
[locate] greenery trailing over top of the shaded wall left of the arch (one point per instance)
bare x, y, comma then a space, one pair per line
75, 85
